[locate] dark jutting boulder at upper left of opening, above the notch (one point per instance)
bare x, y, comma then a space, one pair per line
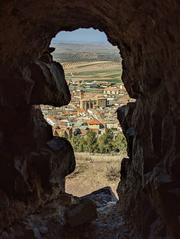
50, 87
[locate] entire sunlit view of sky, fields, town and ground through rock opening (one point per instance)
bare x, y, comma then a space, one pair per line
93, 72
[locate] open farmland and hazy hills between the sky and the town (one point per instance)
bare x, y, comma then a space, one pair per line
89, 62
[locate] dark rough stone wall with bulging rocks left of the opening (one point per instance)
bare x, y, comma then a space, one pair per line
33, 163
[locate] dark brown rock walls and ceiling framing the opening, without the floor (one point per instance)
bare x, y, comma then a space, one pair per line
147, 33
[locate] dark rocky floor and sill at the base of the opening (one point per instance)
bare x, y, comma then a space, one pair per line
75, 220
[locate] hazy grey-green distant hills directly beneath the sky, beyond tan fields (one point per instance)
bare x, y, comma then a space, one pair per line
73, 52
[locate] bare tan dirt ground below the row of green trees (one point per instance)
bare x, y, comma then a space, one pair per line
94, 172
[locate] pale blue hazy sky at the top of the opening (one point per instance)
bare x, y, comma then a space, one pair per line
81, 35
